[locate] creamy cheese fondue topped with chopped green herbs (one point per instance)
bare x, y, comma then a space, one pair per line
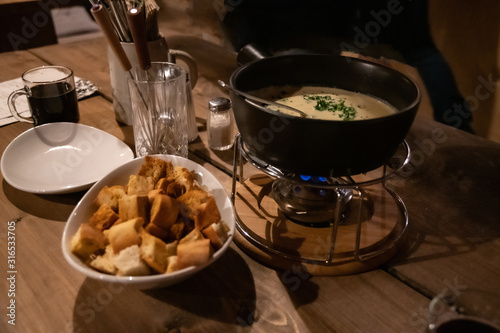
327, 103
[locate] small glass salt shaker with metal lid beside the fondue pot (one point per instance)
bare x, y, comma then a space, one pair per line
220, 124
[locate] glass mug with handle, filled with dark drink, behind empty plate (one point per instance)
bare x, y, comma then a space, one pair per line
51, 95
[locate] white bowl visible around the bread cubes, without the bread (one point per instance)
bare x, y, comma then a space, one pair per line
86, 207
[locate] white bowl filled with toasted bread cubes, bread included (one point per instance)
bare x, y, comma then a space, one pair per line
150, 223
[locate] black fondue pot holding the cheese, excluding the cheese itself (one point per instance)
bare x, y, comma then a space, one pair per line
323, 147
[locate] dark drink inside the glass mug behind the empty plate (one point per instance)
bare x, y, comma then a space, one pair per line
51, 103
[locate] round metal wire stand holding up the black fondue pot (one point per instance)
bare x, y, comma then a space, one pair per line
362, 259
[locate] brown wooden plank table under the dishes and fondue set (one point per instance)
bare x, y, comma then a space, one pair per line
452, 191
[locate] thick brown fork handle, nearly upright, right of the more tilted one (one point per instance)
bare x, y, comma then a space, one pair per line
137, 25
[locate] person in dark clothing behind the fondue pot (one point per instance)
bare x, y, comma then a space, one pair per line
362, 26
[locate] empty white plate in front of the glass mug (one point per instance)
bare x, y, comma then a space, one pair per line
61, 158
